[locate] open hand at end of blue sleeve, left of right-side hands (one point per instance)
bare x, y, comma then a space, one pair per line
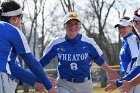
111, 86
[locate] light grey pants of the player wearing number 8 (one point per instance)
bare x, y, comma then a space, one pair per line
70, 87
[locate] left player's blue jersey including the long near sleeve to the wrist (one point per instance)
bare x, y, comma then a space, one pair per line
13, 42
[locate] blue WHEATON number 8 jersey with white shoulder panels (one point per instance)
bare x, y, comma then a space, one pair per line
74, 56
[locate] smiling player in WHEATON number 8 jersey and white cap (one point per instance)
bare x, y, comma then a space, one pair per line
74, 53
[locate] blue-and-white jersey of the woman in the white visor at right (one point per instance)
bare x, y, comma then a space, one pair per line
129, 51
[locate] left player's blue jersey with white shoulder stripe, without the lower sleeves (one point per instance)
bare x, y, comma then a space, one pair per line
12, 39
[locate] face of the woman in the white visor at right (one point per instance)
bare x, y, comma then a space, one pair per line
124, 30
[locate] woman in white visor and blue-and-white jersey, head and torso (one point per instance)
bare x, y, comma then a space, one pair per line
129, 51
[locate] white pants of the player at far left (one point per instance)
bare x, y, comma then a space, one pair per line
6, 84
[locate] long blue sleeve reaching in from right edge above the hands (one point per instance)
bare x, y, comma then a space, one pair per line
129, 76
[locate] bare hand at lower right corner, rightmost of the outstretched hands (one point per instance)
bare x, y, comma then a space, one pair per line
126, 87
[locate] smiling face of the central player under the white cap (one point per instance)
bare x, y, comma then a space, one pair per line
72, 28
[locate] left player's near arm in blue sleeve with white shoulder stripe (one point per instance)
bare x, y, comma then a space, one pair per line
21, 47
